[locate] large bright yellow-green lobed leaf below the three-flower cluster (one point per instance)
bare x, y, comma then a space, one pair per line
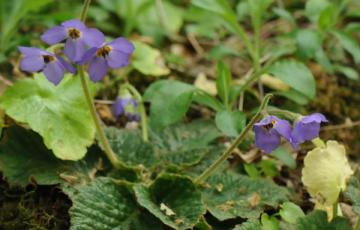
58, 113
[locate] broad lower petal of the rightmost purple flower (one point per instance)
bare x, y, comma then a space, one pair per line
305, 131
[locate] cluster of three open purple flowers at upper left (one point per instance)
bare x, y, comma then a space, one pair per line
83, 45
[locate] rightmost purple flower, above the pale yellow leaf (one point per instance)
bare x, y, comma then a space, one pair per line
307, 129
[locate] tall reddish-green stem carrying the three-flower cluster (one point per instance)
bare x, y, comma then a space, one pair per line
101, 134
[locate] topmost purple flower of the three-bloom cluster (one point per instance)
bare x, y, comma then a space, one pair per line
77, 36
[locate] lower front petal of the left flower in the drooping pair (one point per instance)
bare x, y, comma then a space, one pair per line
266, 140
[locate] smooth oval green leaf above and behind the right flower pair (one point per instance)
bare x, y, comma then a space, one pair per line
296, 75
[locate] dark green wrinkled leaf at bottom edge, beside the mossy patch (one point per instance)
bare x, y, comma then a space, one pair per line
106, 205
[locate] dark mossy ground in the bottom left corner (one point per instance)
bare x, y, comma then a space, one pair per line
33, 207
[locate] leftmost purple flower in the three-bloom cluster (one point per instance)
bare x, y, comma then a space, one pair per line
53, 66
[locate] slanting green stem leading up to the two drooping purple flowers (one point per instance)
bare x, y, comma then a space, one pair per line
238, 140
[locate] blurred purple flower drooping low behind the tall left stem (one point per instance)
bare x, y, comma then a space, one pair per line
127, 106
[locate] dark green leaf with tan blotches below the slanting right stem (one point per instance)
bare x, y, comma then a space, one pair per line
232, 195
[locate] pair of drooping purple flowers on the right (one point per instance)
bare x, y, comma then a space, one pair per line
268, 131
